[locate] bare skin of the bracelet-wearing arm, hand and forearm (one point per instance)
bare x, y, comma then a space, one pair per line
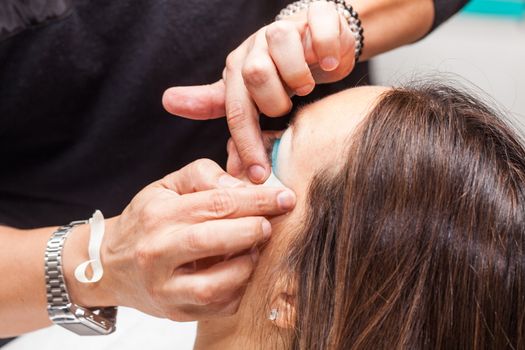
289, 57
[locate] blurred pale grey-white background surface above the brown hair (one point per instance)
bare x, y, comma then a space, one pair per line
486, 51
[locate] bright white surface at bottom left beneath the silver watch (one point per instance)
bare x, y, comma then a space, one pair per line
135, 331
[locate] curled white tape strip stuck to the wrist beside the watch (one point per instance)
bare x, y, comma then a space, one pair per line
97, 228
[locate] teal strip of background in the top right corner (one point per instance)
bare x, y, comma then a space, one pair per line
507, 8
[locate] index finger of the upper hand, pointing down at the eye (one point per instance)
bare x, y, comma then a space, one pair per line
243, 121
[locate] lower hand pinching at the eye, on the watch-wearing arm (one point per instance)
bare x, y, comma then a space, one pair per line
165, 254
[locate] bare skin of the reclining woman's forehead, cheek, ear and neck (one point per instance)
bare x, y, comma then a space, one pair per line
319, 134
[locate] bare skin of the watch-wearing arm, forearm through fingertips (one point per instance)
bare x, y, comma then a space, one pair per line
148, 251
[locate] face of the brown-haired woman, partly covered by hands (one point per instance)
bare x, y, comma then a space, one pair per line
314, 141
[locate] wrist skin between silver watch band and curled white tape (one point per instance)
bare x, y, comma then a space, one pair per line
75, 251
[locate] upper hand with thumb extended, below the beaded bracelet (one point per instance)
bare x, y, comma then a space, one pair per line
284, 58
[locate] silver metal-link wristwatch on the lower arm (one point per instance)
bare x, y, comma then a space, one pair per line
78, 319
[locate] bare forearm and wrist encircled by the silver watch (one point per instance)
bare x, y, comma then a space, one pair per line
23, 305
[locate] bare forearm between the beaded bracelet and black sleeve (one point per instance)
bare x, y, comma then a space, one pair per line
389, 24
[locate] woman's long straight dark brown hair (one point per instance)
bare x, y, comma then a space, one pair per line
418, 242
